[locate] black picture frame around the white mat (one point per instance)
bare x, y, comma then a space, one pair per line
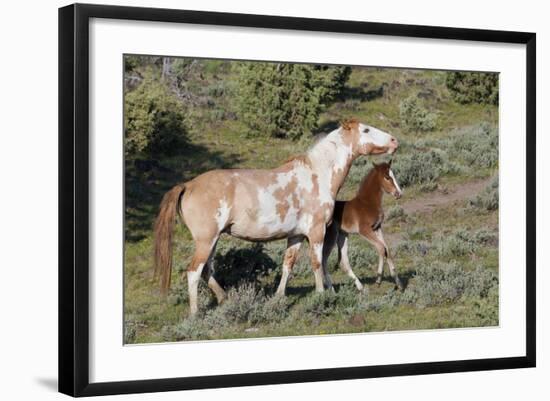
74, 198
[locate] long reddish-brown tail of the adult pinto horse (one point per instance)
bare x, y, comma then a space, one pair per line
164, 229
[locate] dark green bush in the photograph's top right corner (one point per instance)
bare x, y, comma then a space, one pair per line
473, 87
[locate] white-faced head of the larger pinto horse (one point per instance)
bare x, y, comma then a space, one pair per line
367, 140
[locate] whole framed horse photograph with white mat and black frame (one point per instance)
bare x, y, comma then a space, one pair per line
251, 199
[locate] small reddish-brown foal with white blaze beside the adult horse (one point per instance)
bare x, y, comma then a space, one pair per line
363, 215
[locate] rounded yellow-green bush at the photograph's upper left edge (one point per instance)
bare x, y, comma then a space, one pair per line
154, 121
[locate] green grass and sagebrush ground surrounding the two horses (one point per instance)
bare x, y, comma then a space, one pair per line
448, 258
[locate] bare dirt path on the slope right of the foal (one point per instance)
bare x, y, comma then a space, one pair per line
449, 195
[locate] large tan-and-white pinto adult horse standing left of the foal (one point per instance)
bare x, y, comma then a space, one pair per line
293, 201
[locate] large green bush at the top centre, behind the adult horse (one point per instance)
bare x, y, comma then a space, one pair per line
285, 100
